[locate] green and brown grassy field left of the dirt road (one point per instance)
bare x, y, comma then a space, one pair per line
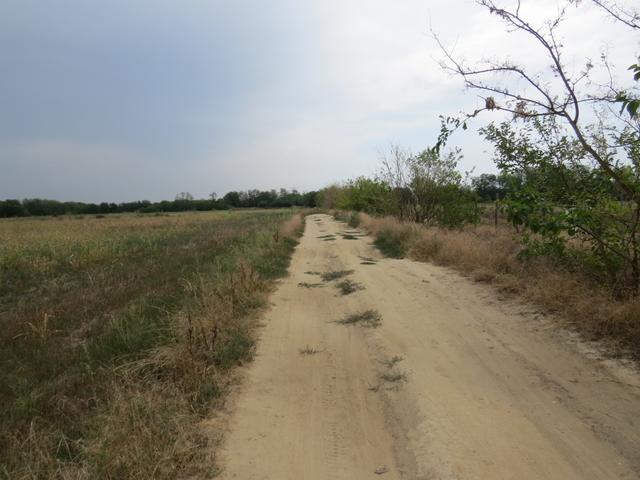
117, 335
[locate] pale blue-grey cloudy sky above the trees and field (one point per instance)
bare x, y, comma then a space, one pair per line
123, 100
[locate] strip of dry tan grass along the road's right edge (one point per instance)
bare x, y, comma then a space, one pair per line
490, 254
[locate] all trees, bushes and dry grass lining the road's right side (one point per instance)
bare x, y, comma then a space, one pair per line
559, 223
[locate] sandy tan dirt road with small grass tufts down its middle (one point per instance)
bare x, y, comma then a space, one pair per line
453, 384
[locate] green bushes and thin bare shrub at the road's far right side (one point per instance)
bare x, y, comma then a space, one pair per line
425, 188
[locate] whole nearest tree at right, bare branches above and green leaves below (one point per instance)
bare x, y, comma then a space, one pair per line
576, 155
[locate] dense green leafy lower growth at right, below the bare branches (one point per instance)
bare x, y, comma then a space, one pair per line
559, 198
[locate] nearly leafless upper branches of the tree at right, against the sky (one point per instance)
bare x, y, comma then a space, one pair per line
556, 92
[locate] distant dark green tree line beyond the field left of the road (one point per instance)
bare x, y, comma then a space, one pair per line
184, 201
